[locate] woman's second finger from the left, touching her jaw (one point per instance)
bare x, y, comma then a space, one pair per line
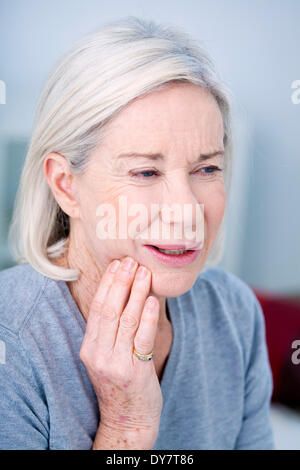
115, 302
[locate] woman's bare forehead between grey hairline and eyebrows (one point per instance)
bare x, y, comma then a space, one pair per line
176, 114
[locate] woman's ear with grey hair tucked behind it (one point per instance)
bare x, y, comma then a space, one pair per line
61, 182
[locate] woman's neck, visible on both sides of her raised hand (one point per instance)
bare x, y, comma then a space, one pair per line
83, 290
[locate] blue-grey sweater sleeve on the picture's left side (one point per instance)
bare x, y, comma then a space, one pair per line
22, 408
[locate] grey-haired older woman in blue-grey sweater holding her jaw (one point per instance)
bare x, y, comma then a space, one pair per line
129, 339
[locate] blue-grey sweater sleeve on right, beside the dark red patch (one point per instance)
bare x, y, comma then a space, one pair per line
256, 431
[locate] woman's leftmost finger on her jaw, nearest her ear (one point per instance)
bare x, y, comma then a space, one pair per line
99, 298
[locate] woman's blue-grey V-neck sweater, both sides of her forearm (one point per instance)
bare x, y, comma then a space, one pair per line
216, 385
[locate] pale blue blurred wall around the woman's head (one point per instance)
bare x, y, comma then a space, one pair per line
255, 44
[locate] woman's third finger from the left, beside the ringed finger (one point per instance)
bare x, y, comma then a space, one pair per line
130, 318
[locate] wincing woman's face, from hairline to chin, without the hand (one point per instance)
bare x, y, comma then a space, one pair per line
179, 123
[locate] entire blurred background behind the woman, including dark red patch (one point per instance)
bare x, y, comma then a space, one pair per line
255, 45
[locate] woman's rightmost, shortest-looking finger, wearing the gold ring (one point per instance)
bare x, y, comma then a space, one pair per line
145, 336
